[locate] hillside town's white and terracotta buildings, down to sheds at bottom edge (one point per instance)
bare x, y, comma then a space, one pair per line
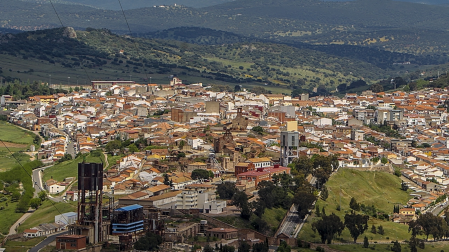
166, 148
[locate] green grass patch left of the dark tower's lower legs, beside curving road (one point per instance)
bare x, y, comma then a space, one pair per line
46, 213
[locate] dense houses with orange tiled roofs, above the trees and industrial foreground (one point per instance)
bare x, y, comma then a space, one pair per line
191, 127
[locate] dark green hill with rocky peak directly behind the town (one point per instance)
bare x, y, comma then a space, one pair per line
94, 54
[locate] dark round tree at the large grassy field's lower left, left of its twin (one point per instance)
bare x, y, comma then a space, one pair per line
328, 227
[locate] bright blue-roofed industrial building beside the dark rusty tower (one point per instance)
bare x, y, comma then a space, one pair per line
127, 219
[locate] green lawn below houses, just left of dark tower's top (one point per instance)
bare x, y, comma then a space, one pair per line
67, 169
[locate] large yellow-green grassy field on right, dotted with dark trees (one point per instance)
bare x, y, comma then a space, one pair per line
369, 188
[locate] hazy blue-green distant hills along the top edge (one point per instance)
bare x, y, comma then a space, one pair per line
383, 24
